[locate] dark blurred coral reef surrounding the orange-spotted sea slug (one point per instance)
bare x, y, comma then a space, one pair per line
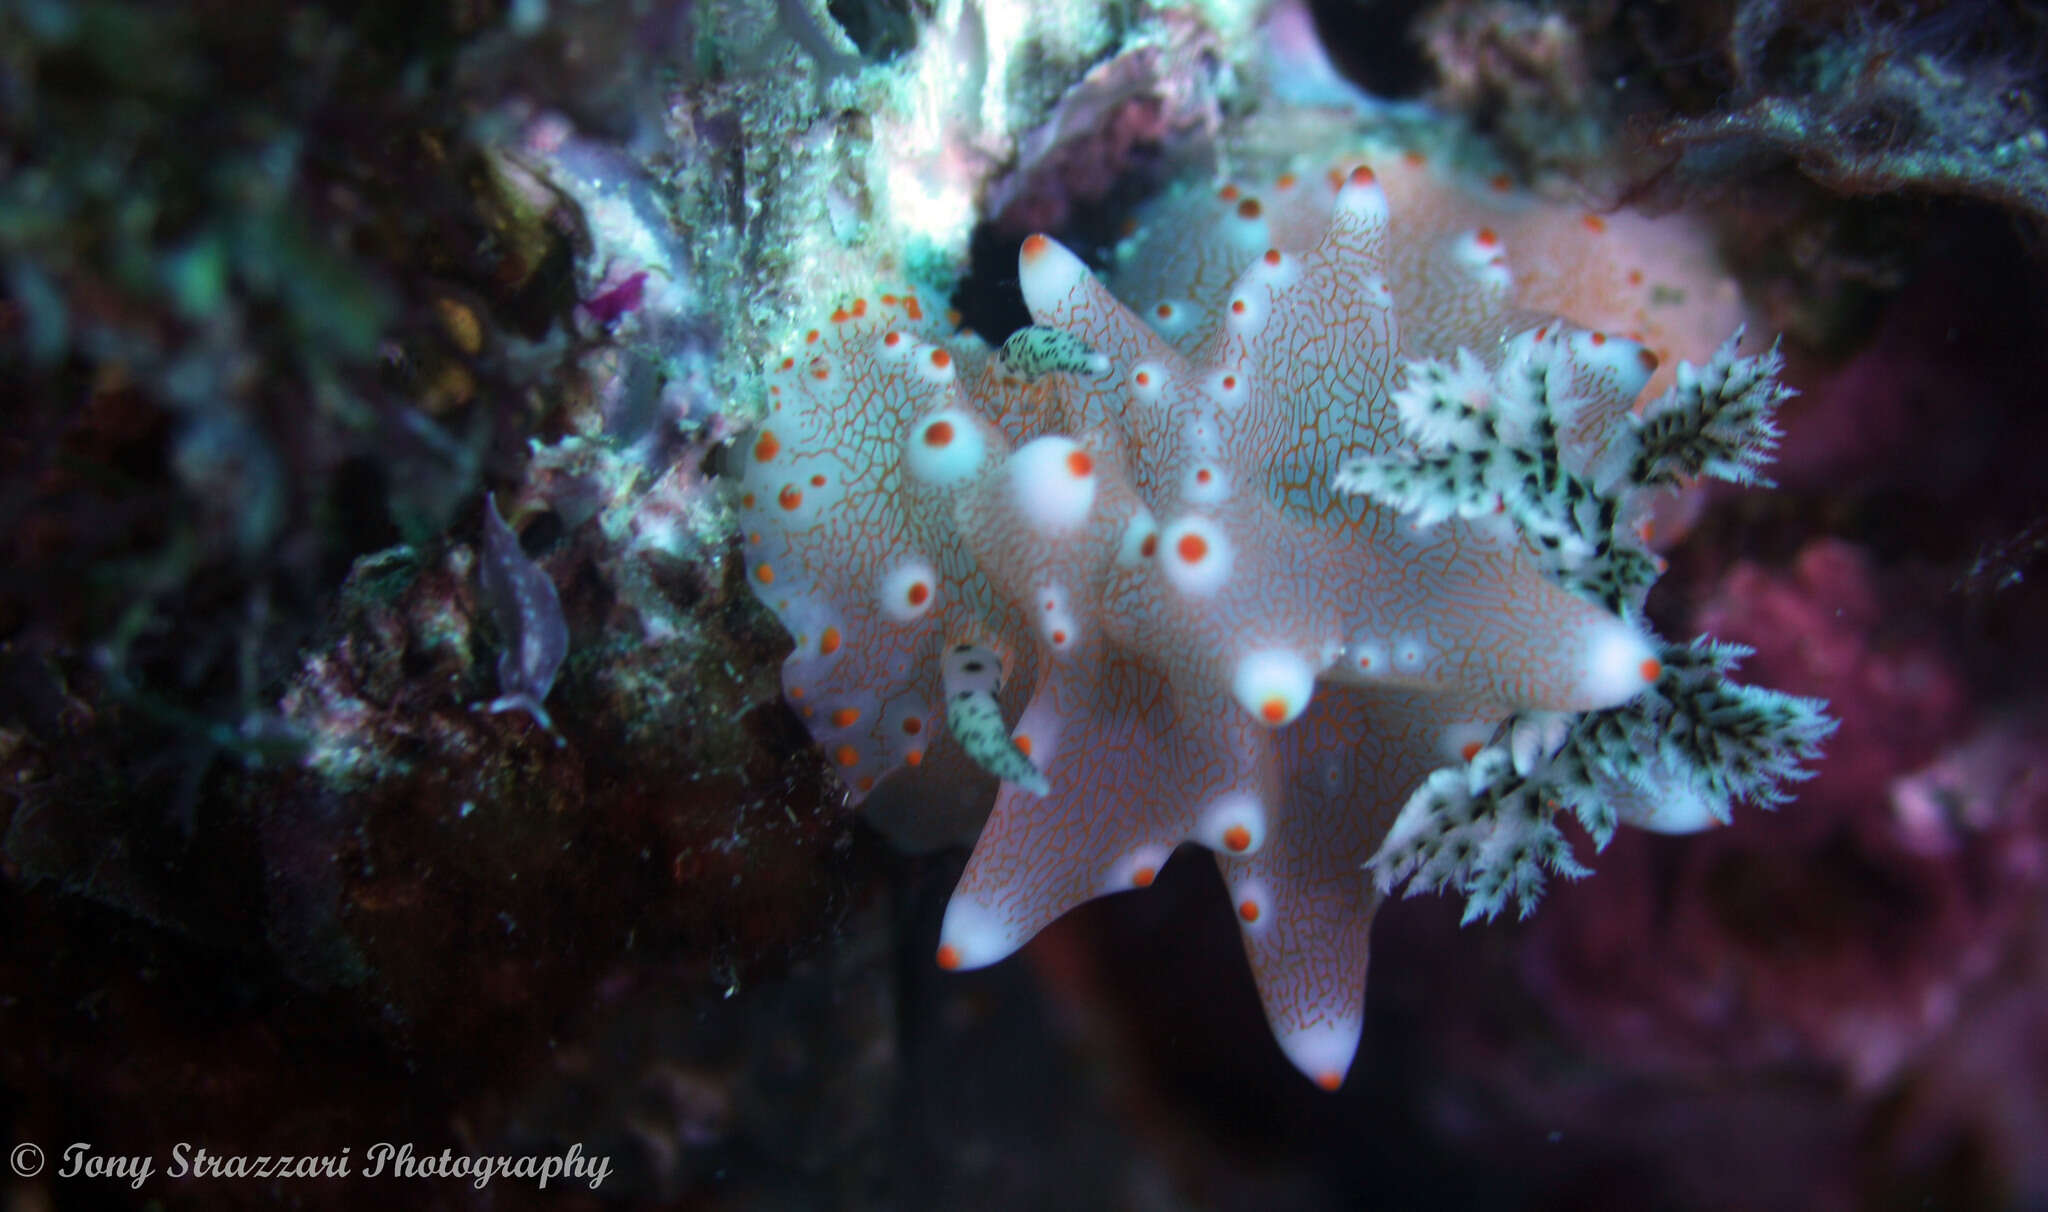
284, 300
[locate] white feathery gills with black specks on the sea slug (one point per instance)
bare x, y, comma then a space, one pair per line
1678, 756
